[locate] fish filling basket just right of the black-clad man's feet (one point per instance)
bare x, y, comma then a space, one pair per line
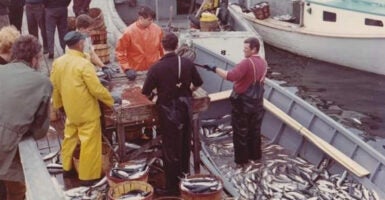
204, 184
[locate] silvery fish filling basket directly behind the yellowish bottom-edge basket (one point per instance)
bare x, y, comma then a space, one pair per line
129, 171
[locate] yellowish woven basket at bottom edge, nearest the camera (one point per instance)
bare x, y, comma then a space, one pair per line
116, 191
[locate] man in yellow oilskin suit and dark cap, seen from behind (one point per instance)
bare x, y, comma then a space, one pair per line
76, 92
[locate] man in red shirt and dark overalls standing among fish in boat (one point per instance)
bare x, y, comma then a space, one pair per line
247, 101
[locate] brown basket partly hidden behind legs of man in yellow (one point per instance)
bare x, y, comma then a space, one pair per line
106, 158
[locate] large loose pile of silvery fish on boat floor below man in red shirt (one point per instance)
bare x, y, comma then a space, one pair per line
281, 176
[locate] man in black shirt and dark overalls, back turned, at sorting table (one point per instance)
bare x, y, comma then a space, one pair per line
172, 76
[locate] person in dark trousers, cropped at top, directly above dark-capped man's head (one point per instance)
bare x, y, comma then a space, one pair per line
56, 15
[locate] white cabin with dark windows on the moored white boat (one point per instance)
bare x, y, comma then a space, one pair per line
345, 17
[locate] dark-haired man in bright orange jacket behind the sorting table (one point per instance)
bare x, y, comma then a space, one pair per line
140, 46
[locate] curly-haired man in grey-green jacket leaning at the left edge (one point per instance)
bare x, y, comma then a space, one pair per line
24, 108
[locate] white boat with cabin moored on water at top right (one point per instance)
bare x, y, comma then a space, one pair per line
345, 32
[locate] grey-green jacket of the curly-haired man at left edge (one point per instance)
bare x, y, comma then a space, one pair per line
24, 92
